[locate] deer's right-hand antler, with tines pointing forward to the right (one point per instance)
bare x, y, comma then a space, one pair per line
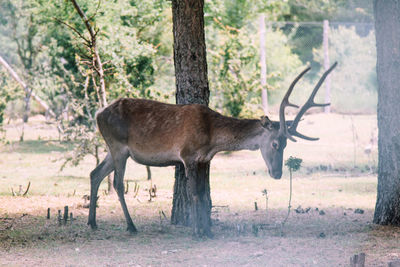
309, 104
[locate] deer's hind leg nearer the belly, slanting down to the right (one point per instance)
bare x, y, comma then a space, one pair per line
119, 172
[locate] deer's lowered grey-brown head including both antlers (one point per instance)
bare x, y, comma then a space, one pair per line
275, 141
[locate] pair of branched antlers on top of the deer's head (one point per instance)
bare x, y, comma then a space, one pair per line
289, 133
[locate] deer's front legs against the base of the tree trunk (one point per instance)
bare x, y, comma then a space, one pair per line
200, 215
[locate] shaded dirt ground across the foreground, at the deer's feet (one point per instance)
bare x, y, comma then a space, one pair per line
252, 238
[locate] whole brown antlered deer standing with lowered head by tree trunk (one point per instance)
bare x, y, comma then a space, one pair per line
159, 134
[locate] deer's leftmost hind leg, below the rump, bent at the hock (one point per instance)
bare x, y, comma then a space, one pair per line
96, 176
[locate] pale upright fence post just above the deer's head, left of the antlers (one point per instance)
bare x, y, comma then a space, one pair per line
263, 63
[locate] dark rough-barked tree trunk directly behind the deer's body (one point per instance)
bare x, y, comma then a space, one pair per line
191, 87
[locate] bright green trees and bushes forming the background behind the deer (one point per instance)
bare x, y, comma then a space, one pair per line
44, 42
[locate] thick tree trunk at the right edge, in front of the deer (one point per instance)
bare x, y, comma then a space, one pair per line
387, 25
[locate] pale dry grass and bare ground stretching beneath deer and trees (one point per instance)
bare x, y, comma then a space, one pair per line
334, 179
